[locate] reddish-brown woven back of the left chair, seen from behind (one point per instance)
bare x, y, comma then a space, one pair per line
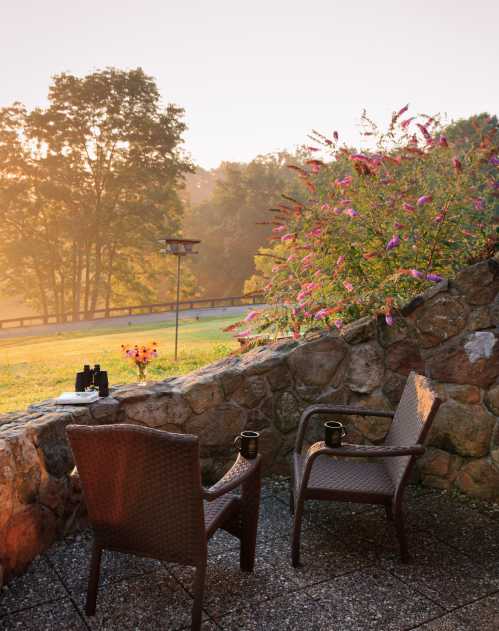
142, 489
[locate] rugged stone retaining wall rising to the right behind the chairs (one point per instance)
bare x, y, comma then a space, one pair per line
449, 333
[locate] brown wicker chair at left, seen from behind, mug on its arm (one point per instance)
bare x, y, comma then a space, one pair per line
144, 496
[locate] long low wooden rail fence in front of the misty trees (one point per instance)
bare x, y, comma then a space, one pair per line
113, 312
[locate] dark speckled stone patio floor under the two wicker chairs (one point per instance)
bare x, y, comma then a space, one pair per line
351, 577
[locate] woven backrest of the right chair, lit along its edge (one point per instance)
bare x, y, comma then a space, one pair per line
411, 422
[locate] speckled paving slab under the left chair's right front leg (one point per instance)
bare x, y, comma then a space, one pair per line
227, 588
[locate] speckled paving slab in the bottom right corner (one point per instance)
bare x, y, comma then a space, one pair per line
482, 615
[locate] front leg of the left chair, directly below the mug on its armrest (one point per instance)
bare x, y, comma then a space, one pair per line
250, 505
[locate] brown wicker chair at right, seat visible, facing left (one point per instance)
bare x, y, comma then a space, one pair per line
378, 479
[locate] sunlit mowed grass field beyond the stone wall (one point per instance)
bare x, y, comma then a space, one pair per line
37, 368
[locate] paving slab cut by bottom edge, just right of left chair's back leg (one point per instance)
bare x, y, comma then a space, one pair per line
295, 612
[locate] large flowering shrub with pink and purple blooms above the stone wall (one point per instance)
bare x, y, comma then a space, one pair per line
378, 226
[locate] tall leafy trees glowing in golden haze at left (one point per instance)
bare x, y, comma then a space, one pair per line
87, 186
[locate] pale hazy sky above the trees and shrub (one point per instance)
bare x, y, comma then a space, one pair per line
256, 76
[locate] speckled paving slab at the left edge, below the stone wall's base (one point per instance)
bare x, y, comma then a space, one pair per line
39, 584
